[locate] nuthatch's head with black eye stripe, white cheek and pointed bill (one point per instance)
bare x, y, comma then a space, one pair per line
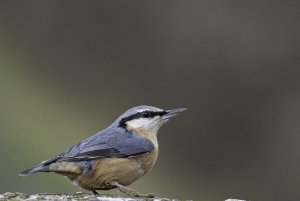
146, 118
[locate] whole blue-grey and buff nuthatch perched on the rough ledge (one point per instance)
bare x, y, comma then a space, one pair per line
114, 157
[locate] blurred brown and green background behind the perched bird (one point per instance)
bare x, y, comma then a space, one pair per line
69, 68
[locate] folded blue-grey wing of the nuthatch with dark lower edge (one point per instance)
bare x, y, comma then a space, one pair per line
112, 142
